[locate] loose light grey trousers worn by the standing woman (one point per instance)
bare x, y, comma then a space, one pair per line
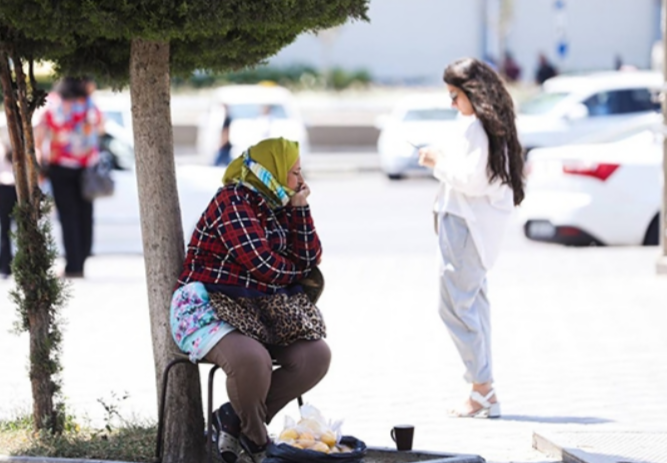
464, 306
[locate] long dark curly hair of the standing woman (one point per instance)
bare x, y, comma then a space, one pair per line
494, 108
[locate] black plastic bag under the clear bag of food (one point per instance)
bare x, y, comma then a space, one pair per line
285, 453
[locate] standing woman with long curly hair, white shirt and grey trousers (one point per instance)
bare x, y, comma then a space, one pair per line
481, 175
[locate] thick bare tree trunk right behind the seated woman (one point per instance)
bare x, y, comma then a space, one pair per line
162, 234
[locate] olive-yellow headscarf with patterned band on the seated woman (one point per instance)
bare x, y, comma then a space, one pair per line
264, 168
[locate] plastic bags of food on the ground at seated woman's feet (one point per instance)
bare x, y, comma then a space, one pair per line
314, 439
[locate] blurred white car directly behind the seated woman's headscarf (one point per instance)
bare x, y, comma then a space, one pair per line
257, 112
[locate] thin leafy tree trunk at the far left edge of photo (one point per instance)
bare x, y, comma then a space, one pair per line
37, 298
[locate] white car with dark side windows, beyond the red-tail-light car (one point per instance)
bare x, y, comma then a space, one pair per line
571, 107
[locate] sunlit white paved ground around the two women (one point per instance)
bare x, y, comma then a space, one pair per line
579, 334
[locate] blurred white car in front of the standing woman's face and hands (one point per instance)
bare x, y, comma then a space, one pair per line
416, 121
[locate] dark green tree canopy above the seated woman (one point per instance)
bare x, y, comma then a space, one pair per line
93, 36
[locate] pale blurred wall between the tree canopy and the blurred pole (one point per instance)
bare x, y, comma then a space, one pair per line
406, 40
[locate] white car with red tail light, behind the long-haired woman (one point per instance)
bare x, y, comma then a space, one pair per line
604, 194
